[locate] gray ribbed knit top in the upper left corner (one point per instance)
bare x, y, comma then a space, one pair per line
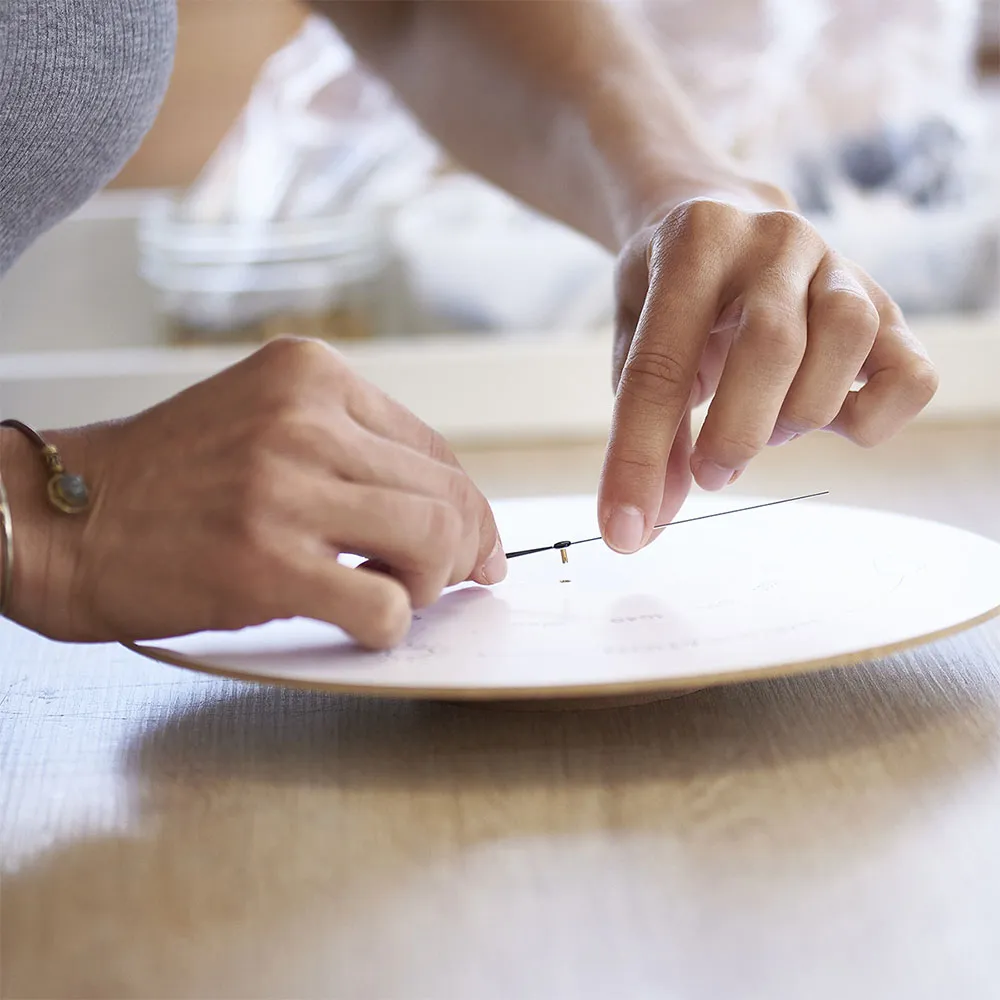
80, 84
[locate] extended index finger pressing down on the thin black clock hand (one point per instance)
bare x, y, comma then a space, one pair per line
653, 393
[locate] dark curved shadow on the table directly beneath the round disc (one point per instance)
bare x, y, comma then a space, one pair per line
286, 737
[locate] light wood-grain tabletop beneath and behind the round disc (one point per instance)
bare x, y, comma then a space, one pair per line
166, 834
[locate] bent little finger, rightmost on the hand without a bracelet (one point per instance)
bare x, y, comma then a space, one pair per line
899, 381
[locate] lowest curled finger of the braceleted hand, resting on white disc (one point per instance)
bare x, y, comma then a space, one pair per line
372, 608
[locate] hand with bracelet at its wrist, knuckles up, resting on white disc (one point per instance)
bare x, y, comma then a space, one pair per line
228, 505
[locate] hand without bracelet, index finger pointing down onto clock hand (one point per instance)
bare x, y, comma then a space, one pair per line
753, 307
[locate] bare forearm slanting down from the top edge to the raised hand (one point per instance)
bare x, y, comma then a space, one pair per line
564, 104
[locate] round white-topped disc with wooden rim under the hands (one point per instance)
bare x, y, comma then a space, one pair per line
777, 591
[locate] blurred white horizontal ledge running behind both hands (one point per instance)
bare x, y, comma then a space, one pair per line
472, 388
